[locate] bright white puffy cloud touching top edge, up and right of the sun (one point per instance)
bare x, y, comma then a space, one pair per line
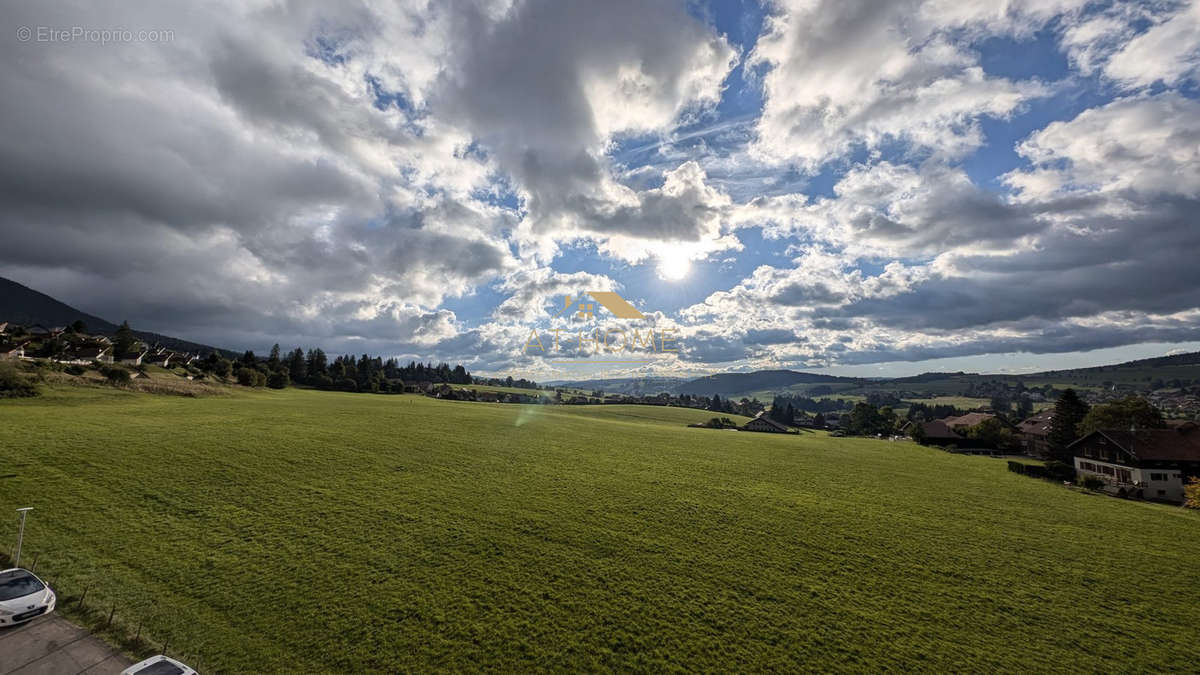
862, 74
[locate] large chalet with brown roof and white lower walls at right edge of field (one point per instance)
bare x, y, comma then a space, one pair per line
1154, 464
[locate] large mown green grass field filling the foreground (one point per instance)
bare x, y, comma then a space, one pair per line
320, 533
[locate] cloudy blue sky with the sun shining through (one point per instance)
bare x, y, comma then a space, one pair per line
842, 187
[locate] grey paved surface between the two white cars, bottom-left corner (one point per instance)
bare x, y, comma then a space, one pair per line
52, 646
